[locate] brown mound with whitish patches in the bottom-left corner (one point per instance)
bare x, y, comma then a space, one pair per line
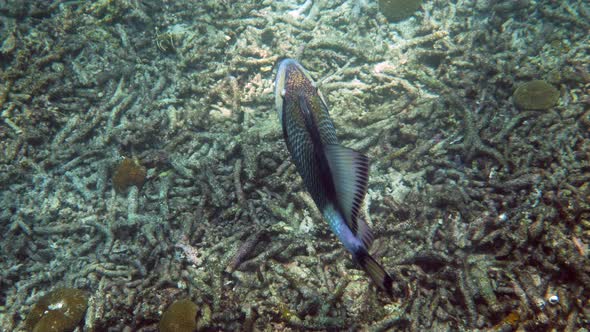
58, 311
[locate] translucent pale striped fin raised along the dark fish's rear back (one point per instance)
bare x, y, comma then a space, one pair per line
350, 174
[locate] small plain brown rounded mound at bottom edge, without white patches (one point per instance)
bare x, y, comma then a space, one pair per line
181, 316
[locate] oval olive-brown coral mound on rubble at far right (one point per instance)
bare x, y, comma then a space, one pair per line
536, 95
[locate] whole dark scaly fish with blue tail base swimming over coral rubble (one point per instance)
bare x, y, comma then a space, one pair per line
335, 176
